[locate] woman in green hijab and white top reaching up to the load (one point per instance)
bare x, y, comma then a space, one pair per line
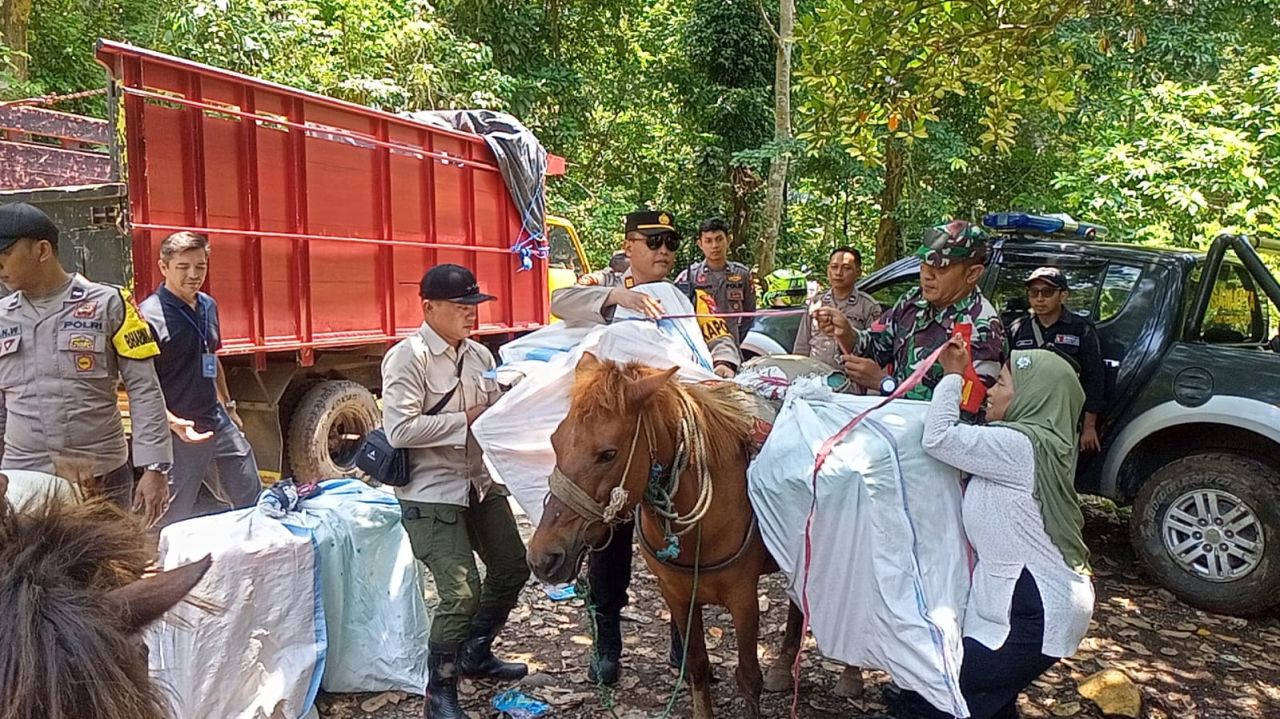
1031, 599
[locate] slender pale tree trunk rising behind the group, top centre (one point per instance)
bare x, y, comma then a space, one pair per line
776, 194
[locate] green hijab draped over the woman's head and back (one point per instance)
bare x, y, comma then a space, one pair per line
1046, 407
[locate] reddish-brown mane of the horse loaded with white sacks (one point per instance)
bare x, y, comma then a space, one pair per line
724, 413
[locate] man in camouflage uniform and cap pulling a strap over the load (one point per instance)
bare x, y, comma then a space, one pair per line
948, 300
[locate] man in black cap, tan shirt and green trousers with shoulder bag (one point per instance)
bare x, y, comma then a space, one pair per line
435, 387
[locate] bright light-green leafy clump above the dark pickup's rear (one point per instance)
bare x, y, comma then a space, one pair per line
1192, 161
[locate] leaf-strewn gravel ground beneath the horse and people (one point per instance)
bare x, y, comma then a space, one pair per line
1188, 665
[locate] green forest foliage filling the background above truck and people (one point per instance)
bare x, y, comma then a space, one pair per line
1158, 118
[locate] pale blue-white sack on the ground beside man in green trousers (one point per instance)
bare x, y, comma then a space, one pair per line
376, 619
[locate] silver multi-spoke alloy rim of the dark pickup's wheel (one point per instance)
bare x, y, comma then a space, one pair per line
1214, 535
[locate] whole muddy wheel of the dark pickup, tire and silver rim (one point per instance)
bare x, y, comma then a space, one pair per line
1208, 529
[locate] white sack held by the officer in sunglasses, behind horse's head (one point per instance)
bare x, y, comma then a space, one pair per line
515, 434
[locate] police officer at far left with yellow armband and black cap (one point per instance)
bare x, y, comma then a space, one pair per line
66, 344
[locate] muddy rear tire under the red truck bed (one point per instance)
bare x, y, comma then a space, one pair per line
327, 429
